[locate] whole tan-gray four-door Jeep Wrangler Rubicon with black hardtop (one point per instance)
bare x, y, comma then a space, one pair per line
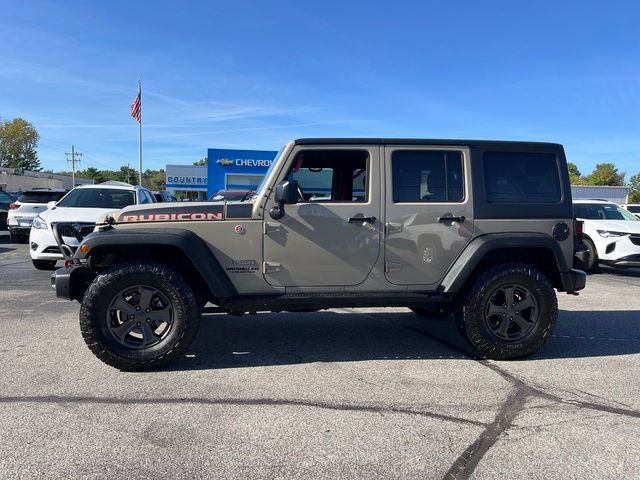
480, 229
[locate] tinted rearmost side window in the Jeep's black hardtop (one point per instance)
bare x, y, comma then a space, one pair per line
512, 177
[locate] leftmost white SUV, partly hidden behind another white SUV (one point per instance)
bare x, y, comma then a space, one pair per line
26, 208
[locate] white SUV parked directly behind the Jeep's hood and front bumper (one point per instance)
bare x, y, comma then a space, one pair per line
79, 209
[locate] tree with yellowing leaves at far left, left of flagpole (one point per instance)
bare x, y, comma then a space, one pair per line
18, 143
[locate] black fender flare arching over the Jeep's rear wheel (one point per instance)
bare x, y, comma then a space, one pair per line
479, 247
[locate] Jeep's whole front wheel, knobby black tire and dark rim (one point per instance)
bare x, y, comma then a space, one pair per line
139, 315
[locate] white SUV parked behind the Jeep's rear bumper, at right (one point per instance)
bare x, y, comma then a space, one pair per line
610, 233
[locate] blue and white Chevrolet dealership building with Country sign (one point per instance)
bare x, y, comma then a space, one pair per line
225, 170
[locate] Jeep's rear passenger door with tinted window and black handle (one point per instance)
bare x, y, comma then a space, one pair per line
429, 218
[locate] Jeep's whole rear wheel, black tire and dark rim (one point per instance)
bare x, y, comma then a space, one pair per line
509, 313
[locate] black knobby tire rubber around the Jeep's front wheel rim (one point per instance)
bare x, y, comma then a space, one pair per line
95, 307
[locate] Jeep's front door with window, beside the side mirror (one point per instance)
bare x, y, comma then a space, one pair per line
331, 237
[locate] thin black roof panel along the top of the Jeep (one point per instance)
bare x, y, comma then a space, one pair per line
422, 141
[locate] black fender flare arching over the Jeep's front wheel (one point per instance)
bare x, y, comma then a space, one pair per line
191, 245
